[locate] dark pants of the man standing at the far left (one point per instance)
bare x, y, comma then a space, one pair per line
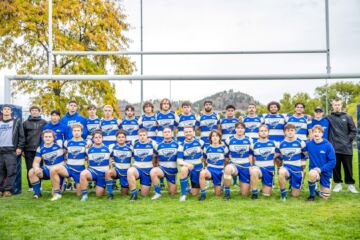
7, 171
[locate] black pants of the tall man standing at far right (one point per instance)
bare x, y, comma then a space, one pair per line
346, 161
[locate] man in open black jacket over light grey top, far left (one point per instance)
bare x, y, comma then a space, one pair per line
11, 145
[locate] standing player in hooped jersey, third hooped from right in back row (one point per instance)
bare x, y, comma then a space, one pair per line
252, 122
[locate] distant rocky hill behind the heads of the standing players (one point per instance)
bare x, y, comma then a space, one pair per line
221, 100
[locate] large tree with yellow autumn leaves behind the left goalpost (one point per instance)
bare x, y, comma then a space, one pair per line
77, 25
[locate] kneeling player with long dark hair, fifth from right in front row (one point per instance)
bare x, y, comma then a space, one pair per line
216, 157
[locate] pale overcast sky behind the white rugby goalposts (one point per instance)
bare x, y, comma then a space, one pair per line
206, 25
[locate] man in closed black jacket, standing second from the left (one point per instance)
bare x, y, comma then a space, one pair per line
32, 129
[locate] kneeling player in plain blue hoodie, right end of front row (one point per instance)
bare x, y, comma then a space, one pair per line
322, 161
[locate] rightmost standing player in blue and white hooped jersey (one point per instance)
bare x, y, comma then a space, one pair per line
301, 121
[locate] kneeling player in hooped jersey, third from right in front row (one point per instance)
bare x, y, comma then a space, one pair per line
263, 160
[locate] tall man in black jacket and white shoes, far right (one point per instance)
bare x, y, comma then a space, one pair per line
342, 132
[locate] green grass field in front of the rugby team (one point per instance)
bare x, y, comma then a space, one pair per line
240, 218
